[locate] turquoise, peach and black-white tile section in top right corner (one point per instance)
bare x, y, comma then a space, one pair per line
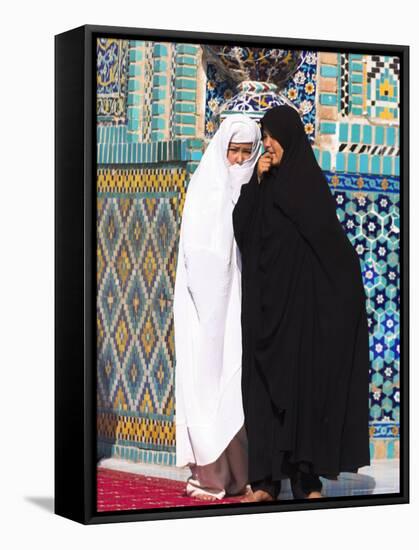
361, 134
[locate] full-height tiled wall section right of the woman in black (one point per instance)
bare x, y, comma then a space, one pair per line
357, 146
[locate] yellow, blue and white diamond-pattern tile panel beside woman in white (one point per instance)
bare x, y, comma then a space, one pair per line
137, 235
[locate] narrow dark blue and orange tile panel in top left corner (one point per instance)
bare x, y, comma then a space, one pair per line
112, 63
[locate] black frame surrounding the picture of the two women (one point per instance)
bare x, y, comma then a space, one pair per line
75, 269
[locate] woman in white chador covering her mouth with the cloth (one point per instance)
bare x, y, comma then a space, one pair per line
210, 434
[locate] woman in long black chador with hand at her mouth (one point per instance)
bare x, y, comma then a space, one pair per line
305, 335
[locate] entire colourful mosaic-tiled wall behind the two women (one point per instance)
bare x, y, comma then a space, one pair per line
156, 109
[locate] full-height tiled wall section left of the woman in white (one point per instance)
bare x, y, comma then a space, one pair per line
142, 176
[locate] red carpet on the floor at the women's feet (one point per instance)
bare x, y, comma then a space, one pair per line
124, 491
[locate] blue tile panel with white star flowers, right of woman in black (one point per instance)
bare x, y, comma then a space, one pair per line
372, 223
